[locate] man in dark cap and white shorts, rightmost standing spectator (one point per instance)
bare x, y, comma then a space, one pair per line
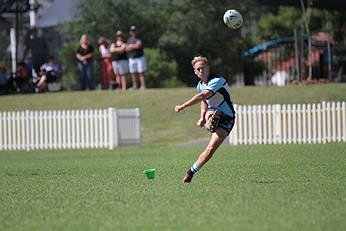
137, 62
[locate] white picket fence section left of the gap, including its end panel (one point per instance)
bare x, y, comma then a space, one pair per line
65, 129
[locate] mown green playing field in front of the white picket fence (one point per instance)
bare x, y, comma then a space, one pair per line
272, 187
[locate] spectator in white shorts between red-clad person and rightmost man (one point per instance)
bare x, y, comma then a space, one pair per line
120, 62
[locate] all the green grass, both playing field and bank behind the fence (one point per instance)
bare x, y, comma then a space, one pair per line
255, 187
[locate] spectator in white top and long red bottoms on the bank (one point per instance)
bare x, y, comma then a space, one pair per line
107, 73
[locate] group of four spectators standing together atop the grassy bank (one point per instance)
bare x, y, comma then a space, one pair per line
119, 58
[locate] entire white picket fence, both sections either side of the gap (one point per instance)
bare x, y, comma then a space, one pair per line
108, 128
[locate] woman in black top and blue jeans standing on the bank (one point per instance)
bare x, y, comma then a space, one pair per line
84, 55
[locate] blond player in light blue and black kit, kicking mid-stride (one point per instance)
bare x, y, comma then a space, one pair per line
217, 112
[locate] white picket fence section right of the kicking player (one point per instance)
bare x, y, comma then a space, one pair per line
293, 123
